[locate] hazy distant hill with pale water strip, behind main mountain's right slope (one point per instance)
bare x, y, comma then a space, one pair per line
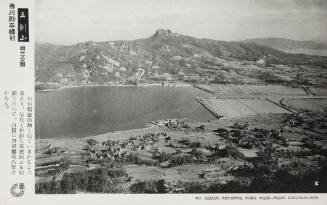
292, 46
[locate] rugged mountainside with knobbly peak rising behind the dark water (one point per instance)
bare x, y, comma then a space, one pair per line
168, 56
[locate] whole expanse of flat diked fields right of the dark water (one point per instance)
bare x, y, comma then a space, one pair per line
233, 101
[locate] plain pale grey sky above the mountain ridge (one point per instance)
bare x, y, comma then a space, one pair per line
73, 21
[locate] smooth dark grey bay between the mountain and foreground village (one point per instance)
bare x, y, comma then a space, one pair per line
86, 111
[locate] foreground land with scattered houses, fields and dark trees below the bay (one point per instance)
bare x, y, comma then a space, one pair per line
180, 156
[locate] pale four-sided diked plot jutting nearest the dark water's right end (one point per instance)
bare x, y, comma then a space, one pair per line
242, 107
